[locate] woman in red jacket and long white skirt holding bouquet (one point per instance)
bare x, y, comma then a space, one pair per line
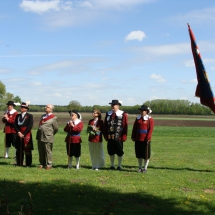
94, 130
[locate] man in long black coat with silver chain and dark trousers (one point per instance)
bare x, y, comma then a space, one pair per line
24, 143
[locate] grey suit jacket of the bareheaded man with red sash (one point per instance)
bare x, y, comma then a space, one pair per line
47, 130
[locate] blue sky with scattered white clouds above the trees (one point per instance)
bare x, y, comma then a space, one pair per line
94, 51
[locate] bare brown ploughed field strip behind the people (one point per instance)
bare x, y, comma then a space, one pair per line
160, 120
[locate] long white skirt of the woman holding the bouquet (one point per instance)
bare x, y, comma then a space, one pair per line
97, 154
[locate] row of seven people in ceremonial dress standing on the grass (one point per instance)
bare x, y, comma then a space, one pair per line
114, 130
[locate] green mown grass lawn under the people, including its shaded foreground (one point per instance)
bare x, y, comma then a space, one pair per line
180, 178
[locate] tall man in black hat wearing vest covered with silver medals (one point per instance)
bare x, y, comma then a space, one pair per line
115, 132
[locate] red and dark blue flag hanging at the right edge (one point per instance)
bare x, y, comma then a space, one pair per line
203, 89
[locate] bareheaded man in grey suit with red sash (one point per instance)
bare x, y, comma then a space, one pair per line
48, 127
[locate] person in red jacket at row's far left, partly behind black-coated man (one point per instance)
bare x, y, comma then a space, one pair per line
10, 133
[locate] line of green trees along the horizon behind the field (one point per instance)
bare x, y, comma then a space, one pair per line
158, 106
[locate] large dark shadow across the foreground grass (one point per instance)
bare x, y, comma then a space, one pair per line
76, 197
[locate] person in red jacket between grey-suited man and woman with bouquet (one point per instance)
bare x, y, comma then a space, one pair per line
73, 138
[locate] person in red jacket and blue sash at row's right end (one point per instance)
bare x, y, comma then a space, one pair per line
141, 134
